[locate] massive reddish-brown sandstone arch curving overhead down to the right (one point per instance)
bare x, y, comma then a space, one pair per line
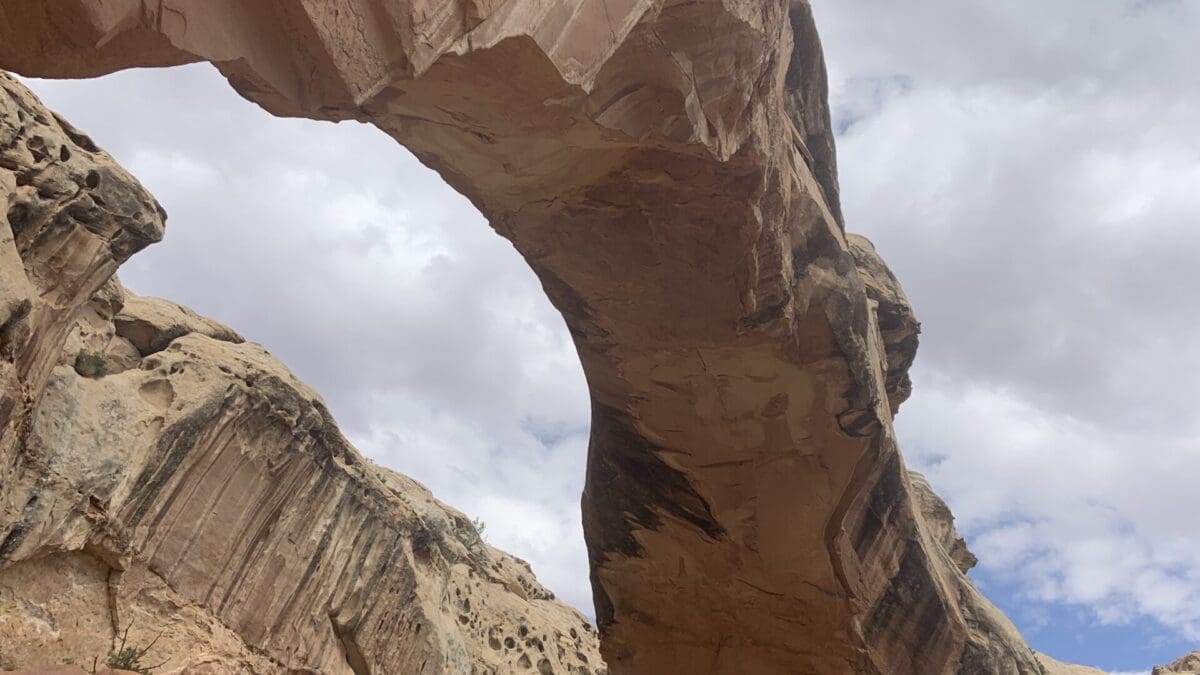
667, 168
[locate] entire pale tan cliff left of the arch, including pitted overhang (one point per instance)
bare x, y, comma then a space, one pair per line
166, 477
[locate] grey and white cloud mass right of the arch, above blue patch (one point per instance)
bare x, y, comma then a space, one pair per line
1030, 171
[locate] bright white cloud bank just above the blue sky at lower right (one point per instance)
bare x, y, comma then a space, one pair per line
1067, 511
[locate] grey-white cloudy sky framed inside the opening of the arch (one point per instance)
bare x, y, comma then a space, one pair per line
379, 285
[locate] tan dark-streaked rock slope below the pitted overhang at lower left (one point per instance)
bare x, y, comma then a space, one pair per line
215, 507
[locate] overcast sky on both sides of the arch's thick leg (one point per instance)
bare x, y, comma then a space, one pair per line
1030, 169
